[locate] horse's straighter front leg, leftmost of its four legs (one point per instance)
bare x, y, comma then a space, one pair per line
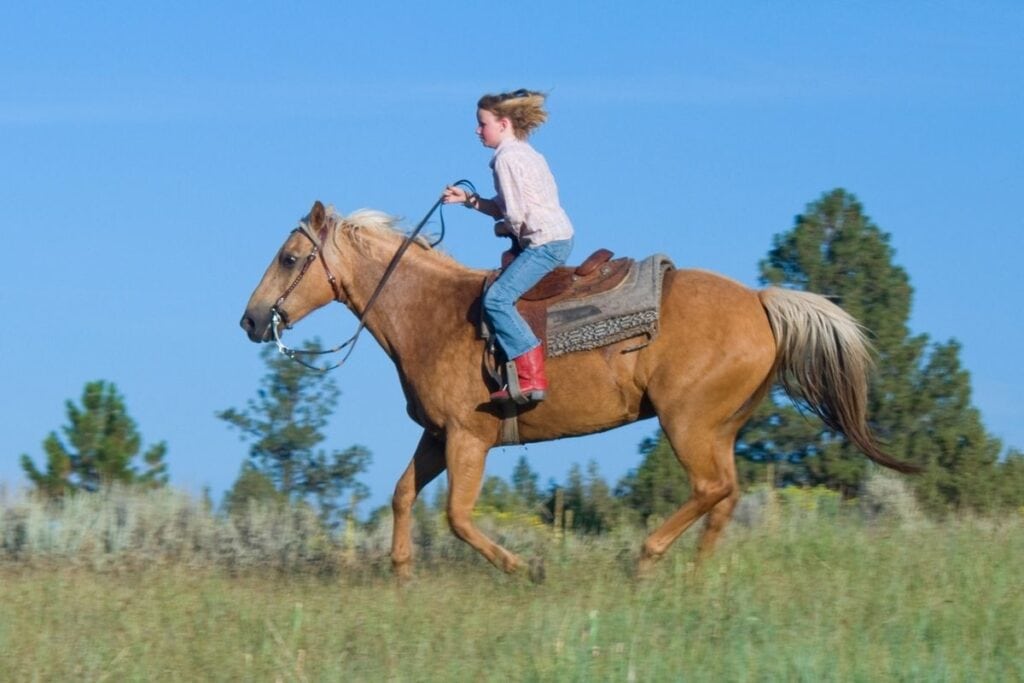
428, 463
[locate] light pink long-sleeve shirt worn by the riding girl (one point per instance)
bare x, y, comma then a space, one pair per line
528, 195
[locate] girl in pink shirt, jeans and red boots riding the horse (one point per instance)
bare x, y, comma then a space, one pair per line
527, 209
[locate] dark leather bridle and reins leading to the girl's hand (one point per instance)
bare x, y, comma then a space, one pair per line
277, 319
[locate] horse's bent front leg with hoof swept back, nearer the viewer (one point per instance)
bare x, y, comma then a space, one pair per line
465, 455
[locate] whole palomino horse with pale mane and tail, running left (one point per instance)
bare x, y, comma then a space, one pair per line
719, 349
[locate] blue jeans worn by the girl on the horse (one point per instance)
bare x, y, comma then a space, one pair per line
499, 303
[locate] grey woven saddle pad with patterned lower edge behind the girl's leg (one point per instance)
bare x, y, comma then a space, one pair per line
629, 311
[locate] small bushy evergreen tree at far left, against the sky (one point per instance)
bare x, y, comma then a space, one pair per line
103, 444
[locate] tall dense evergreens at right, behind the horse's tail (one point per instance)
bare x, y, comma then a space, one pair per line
919, 400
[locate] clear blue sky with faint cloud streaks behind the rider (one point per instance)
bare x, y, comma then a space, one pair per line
153, 158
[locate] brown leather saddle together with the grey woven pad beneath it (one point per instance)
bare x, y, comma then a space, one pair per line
601, 303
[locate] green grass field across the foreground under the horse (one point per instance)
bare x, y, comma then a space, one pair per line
808, 599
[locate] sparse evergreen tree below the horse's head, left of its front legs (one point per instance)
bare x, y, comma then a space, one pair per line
284, 425
